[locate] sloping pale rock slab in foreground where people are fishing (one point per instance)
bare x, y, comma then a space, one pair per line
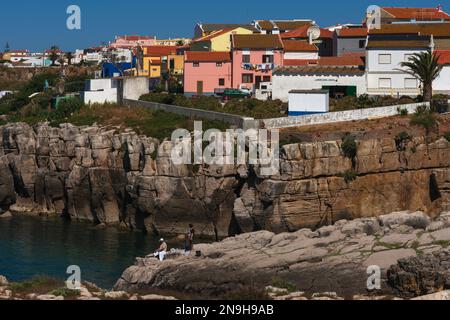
331, 259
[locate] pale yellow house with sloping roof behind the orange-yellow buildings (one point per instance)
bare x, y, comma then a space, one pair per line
218, 41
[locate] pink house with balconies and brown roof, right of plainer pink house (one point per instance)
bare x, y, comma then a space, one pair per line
254, 58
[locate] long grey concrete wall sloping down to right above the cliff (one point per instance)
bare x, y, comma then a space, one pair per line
241, 122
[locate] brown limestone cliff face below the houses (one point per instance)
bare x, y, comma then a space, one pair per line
92, 174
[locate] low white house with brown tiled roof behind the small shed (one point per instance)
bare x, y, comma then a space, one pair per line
341, 76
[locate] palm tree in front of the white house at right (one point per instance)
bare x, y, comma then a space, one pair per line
425, 67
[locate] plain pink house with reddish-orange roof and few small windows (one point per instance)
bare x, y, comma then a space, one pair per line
206, 73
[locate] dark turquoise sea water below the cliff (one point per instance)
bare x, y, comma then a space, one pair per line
32, 246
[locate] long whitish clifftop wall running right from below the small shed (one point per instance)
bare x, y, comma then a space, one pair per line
343, 116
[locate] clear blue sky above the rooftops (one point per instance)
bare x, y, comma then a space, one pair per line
38, 24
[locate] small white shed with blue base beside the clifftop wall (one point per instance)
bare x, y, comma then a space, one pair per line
304, 102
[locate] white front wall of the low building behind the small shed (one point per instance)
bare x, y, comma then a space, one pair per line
283, 83
